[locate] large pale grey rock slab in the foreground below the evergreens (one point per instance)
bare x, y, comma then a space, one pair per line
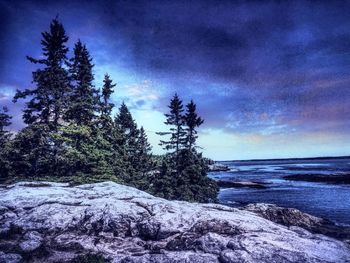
50, 222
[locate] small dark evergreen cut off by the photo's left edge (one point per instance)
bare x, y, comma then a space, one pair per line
5, 121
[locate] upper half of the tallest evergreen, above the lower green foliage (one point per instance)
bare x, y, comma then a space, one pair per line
48, 99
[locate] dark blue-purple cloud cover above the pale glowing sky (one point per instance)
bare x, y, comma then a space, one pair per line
266, 66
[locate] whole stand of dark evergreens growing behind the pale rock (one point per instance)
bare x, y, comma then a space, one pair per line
71, 135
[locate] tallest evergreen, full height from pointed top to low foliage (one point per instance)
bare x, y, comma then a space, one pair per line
47, 103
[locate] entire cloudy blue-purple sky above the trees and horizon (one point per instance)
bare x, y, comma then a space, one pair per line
270, 78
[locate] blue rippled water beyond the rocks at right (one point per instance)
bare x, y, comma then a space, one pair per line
320, 199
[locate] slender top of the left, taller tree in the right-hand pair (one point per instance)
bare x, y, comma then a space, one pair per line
176, 120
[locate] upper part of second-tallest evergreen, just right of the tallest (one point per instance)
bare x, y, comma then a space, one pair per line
83, 98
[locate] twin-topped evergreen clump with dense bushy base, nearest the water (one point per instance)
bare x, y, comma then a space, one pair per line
187, 168
